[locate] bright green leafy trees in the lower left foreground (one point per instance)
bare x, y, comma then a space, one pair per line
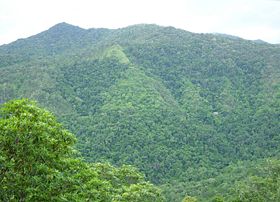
38, 163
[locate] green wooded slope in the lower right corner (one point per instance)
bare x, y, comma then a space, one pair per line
242, 181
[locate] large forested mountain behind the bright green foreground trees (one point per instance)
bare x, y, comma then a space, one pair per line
180, 106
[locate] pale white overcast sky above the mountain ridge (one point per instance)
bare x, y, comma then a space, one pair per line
249, 19
